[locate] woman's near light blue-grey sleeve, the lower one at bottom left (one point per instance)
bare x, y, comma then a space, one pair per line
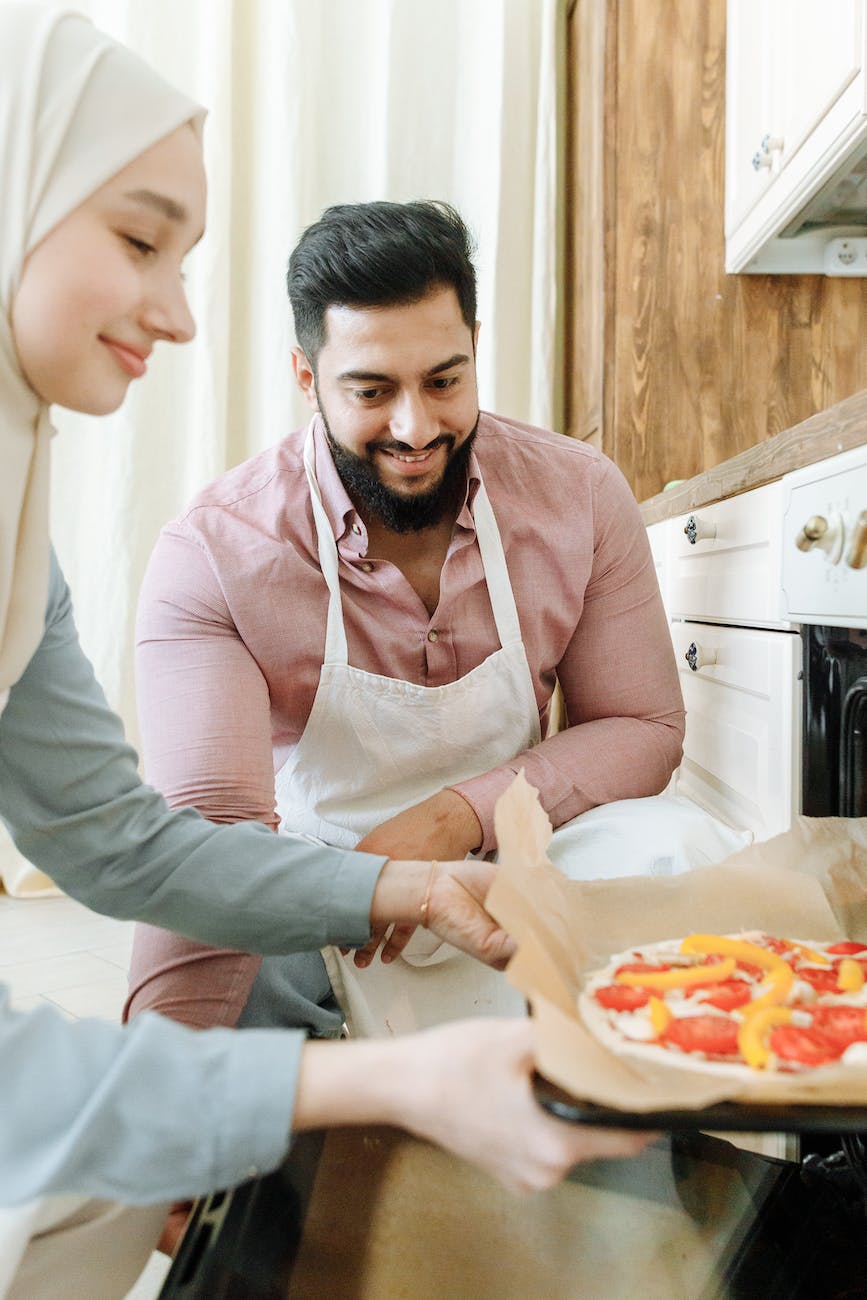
141, 1115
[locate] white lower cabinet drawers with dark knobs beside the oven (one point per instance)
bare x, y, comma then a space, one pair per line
739, 661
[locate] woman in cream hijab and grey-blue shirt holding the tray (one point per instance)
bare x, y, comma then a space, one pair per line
103, 196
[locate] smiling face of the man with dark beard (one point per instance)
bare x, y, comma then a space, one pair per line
397, 391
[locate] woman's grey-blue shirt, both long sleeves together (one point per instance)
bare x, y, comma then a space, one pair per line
153, 1112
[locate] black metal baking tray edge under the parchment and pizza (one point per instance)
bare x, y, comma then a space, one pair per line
725, 1117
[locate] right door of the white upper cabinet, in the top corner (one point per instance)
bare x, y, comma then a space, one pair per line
820, 45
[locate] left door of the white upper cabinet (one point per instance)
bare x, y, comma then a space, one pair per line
751, 54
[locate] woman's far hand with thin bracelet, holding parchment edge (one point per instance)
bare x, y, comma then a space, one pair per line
457, 913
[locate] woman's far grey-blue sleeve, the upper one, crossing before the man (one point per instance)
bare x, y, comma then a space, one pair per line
76, 807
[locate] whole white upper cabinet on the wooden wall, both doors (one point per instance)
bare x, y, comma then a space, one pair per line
796, 133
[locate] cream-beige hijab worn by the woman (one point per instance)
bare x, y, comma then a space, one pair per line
75, 110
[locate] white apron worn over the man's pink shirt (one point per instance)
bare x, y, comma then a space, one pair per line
374, 747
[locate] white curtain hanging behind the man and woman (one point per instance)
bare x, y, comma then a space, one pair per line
311, 102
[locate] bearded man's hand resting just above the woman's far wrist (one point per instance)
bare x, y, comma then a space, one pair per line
443, 827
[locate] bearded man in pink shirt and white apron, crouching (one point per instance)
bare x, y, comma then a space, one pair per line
357, 635
